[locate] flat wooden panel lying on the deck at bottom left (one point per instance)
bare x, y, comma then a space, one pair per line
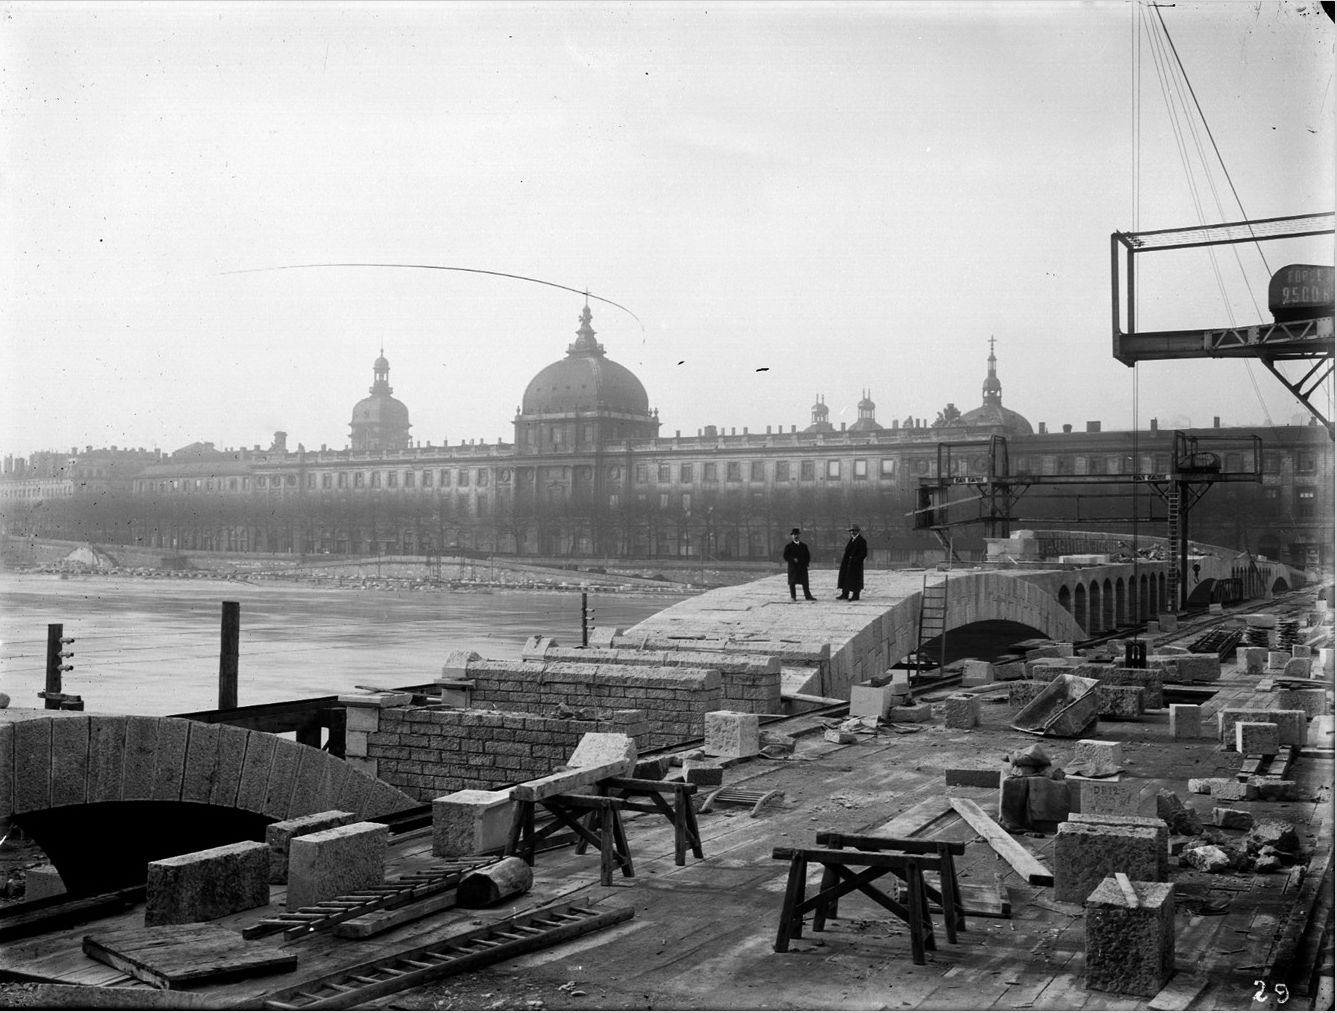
172, 956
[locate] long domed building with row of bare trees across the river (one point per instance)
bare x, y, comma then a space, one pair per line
590, 474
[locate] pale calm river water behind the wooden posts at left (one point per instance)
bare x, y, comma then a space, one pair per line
150, 646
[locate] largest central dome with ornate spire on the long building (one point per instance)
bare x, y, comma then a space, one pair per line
582, 402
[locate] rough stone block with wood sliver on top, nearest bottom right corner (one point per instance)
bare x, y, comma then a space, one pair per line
1130, 948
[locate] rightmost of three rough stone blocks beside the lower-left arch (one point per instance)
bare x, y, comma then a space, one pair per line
332, 863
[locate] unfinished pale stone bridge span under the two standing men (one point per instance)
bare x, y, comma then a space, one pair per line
862, 639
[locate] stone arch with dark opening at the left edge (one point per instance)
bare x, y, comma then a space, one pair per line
106, 794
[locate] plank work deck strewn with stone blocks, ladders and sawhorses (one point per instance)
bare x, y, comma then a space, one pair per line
703, 933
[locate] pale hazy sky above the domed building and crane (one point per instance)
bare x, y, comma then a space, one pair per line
785, 201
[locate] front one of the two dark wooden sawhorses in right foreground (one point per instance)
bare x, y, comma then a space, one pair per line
840, 879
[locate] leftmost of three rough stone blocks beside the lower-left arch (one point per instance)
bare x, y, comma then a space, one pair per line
207, 885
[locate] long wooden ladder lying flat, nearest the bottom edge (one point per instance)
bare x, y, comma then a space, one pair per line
490, 944
